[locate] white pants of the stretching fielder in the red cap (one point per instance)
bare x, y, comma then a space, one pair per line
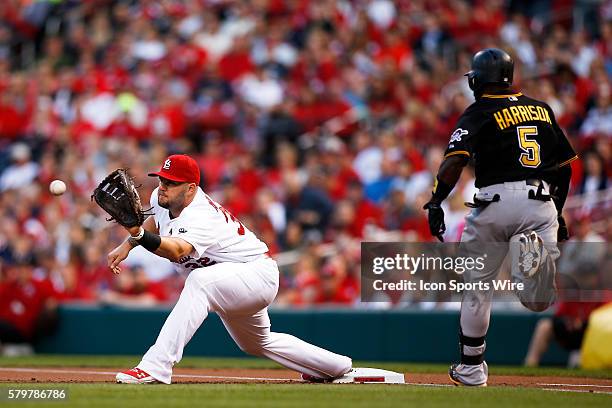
240, 294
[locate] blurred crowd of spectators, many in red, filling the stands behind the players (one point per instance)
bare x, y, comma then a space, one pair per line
319, 124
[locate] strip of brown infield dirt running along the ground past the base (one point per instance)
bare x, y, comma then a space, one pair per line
240, 376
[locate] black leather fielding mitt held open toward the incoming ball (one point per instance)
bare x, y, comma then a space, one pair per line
117, 195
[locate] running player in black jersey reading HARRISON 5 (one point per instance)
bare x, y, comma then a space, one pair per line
521, 159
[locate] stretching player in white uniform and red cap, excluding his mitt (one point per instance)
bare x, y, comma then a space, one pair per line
230, 273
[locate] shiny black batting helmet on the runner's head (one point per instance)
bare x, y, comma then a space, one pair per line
490, 66
